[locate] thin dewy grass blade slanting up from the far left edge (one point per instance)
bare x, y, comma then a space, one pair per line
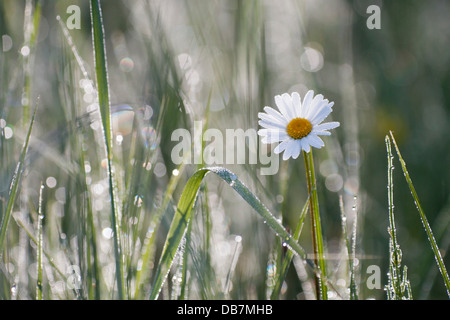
15, 185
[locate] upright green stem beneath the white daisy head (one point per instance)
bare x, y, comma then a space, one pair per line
316, 229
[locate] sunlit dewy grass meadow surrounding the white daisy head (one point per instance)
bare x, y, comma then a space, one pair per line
93, 204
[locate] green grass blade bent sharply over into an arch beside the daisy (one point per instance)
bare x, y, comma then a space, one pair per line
183, 215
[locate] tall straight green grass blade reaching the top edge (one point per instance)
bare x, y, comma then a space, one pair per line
105, 112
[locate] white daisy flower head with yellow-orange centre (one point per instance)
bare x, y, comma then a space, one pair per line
298, 125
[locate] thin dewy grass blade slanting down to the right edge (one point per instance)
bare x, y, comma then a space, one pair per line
423, 218
